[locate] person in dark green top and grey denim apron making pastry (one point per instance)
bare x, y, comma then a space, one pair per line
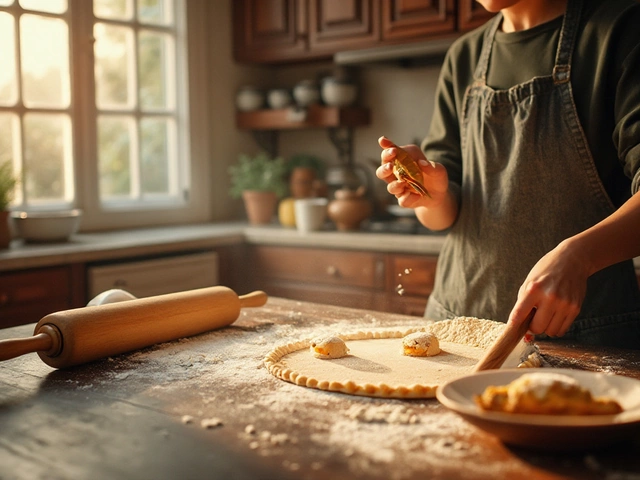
534, 167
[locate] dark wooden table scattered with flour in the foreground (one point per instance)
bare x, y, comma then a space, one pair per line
206, 408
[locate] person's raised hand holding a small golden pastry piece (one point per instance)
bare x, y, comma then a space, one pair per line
435, 178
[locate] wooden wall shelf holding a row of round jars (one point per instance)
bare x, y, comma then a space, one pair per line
315, 116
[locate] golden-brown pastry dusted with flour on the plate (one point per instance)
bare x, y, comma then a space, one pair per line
546, 394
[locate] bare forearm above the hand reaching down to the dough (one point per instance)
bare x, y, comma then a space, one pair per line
614, 239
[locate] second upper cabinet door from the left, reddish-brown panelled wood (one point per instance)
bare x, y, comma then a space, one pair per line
336, 25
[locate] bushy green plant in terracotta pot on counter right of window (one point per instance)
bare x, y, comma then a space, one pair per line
260, 181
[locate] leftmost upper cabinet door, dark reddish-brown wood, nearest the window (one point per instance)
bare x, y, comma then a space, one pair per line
269, 30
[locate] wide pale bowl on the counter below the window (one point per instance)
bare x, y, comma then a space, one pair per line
55, 226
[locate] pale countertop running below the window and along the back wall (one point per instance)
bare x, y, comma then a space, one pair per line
94, 247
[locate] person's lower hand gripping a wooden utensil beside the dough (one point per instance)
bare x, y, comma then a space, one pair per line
555, 287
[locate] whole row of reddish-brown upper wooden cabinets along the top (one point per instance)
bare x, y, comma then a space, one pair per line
279, 31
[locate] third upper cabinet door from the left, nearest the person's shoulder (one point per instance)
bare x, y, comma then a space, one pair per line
416, 19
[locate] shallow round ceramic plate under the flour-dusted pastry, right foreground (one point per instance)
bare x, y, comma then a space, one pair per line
549, 432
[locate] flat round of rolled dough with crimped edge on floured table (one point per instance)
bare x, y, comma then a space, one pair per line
376, 367
